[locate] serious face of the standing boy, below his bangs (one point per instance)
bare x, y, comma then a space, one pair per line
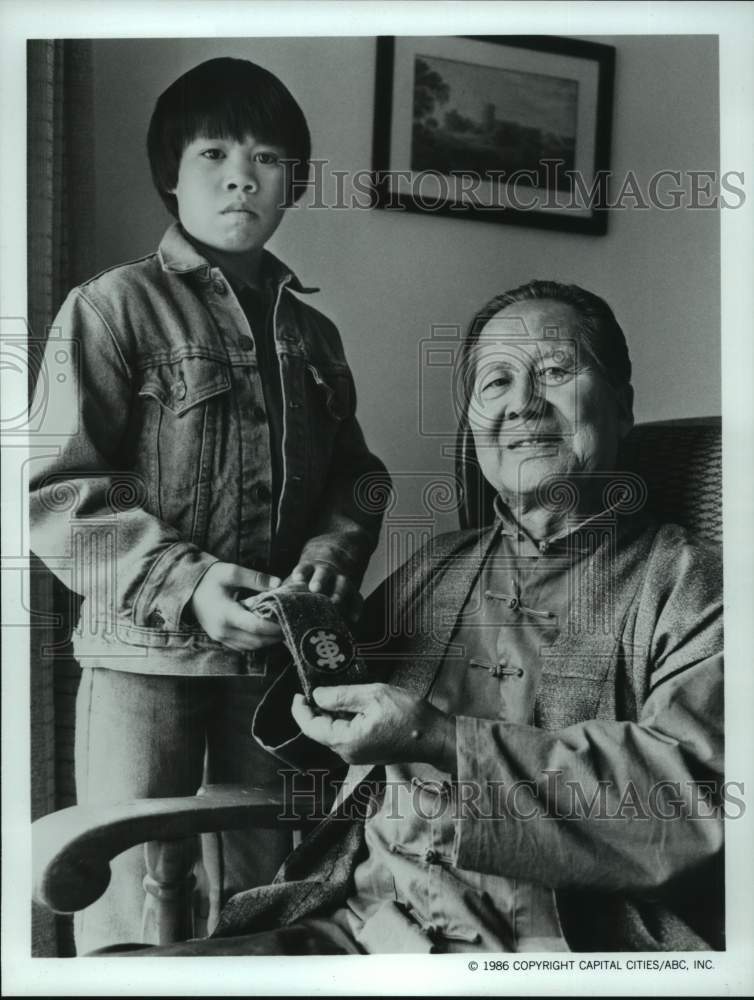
231, 195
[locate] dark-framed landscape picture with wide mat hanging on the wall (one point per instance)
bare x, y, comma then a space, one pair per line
511, 129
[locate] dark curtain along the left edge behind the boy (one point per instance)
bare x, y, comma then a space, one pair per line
60, 223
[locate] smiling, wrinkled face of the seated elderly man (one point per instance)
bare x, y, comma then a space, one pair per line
539, 407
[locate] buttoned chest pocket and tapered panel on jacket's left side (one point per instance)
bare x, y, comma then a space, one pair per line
183, 404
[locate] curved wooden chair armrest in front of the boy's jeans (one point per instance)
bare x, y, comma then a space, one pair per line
72, 848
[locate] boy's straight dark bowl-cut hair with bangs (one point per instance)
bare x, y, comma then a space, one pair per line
226, 98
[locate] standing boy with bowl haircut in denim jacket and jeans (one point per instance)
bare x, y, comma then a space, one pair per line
208, 449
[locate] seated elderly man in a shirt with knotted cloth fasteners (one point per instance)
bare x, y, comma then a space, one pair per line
540, 766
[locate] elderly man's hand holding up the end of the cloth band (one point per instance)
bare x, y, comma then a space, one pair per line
384, 725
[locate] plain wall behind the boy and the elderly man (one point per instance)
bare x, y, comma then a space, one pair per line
388, 277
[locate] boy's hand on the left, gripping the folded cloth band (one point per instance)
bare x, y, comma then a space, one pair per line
215, 604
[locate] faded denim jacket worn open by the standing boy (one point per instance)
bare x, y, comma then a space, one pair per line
152, 458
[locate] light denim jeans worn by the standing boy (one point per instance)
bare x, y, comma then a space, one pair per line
144, 736
